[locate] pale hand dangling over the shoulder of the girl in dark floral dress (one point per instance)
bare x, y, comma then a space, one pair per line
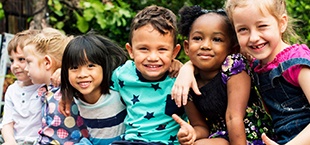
183, 83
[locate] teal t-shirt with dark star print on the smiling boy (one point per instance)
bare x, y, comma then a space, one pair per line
149, 106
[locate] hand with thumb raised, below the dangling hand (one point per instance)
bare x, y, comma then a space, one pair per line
186, 134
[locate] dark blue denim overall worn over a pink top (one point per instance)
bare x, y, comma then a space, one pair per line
286, 103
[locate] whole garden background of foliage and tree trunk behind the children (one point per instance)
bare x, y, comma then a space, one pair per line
111, 17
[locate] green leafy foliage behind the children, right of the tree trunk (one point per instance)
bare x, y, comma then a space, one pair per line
113, 17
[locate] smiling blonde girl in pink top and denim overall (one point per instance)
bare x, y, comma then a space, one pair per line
282, 70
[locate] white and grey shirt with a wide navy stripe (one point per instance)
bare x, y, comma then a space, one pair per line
104, 119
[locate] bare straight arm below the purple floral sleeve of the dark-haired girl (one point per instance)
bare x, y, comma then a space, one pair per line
238, 92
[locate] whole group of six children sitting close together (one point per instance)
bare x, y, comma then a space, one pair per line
104, 98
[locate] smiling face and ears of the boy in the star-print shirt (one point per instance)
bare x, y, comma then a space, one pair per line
152, 51
